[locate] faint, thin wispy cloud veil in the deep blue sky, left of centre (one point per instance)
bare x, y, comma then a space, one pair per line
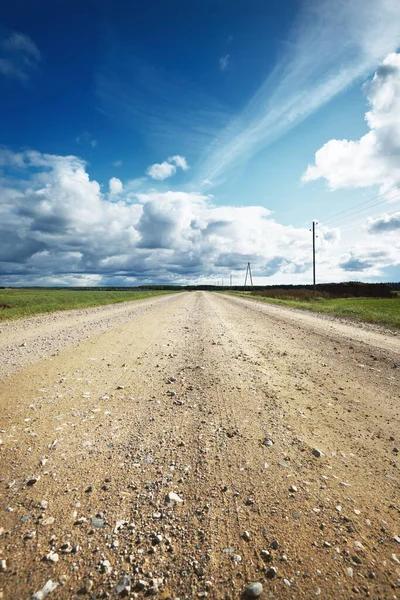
151, 102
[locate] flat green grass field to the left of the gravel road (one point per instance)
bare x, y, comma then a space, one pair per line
16, 303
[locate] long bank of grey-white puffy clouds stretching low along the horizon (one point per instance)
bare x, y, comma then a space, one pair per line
56, 226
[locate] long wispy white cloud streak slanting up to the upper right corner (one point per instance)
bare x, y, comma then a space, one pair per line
313, 69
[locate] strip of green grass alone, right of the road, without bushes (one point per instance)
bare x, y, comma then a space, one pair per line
384, 311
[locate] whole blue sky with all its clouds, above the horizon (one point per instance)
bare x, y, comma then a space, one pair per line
193, 137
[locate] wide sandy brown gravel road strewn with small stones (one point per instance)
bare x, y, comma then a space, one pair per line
274, 435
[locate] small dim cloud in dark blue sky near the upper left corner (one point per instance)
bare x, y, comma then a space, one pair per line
19, 56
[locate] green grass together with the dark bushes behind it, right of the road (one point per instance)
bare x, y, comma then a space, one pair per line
383, 311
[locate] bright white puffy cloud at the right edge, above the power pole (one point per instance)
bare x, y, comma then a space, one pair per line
374, 158
